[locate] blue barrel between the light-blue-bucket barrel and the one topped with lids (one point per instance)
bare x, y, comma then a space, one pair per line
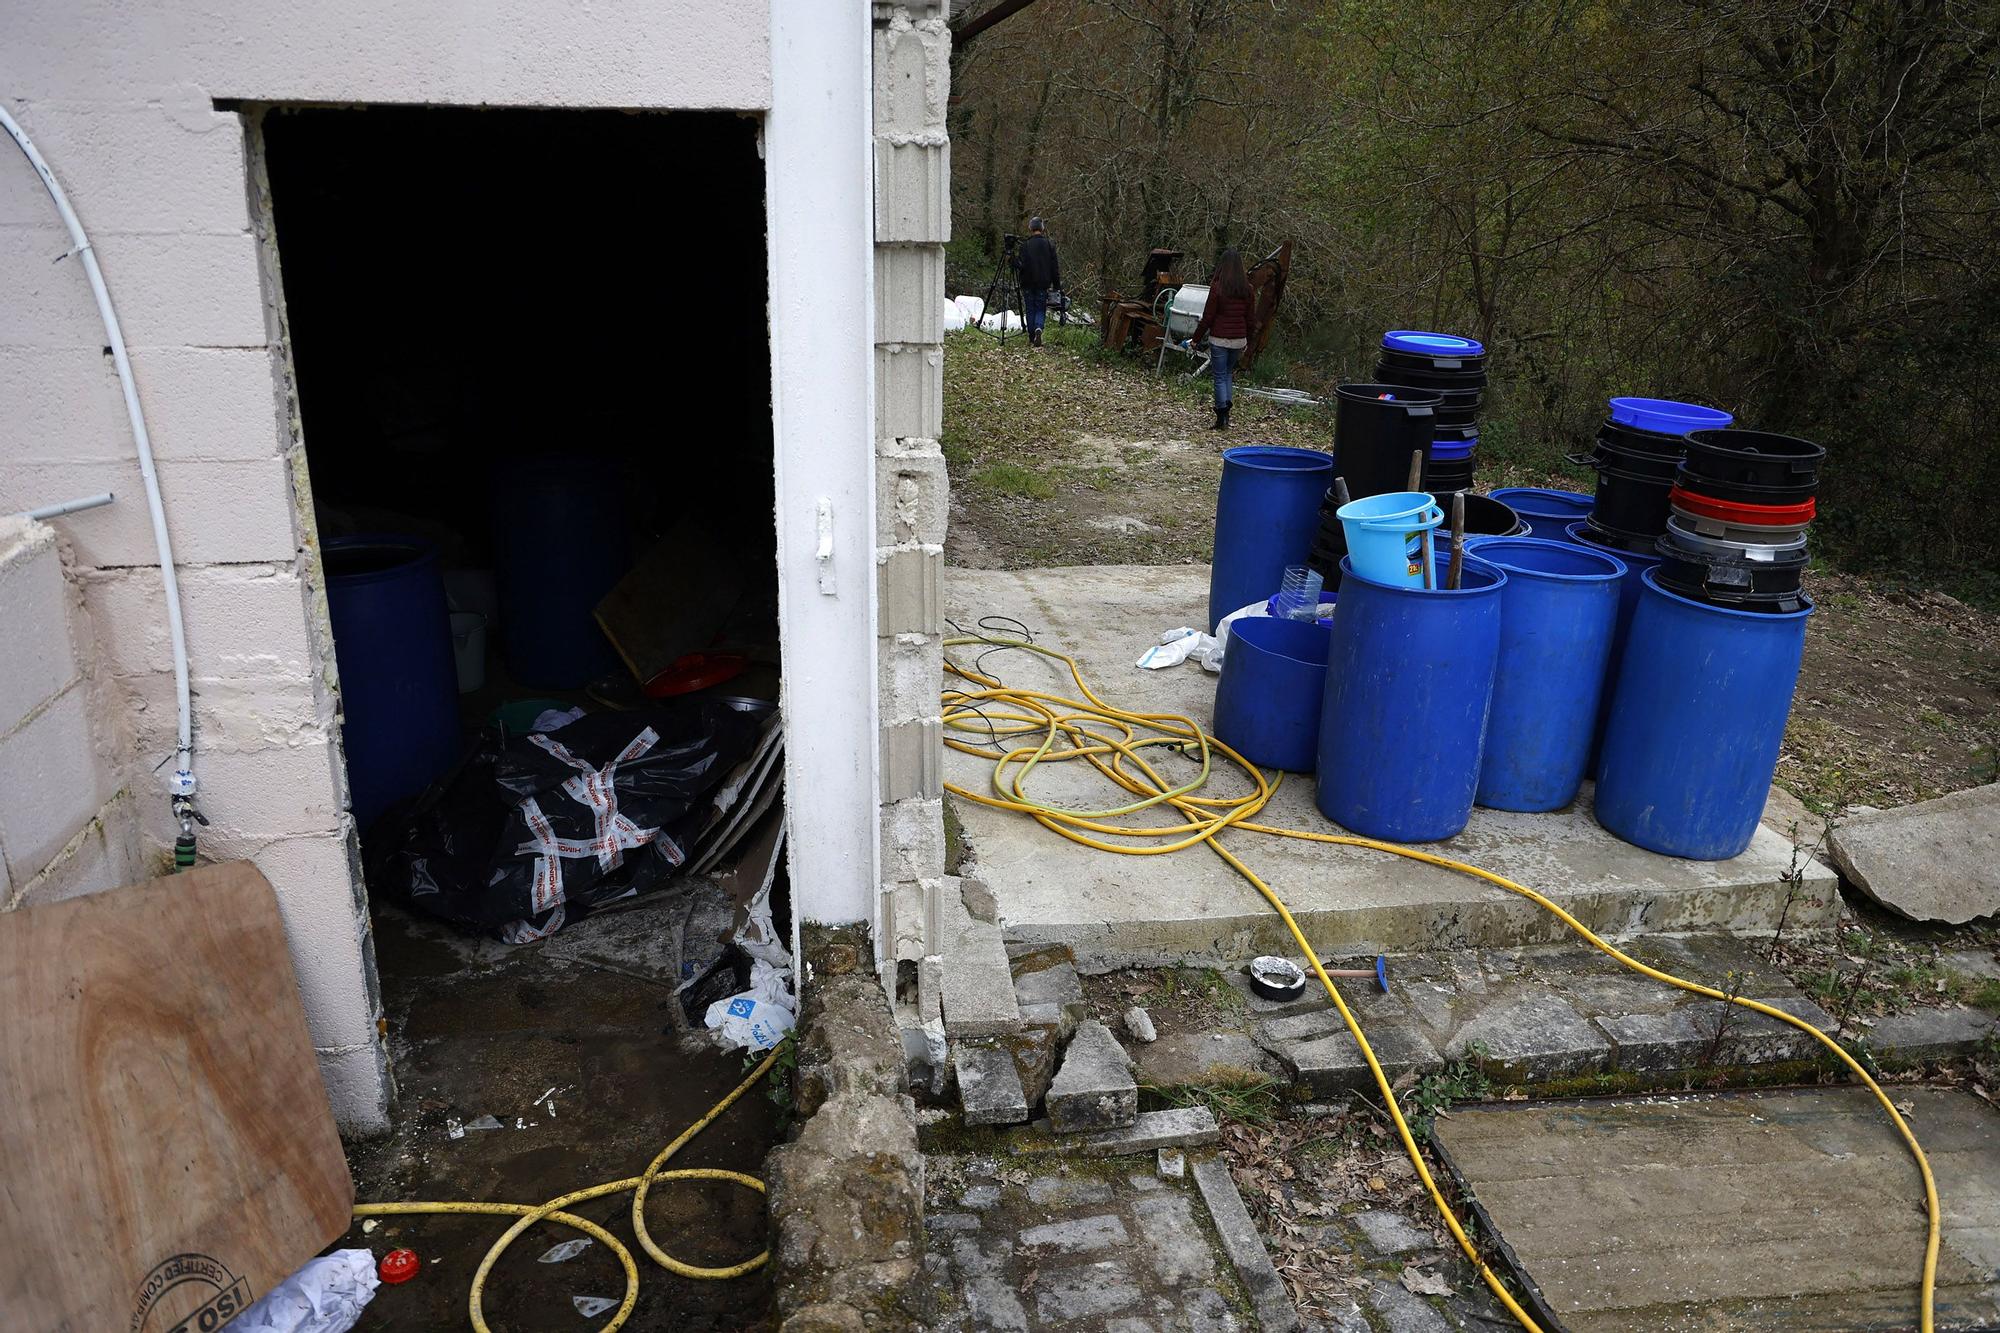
1557, 619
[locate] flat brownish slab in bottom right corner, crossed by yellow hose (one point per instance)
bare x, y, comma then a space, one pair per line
1791, 1210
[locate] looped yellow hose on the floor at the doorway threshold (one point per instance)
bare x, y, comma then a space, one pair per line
525, 1216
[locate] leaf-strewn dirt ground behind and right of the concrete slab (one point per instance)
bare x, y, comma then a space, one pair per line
1071, 457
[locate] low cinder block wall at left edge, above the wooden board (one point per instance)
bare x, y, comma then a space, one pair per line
67, 816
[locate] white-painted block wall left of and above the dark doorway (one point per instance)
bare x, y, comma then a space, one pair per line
121, 97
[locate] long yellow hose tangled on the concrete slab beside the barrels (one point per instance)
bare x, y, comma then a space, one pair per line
1113, 740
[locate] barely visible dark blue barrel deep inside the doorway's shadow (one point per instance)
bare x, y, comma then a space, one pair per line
559, 549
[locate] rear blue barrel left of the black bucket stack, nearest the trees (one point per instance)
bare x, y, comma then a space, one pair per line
1267, 513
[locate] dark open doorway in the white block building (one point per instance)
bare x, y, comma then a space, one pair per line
533, 373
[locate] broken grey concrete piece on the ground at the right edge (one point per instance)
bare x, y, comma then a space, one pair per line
1929, 862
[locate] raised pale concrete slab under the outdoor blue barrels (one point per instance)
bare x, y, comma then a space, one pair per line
1121, 912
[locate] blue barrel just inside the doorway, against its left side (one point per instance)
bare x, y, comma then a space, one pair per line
393, 649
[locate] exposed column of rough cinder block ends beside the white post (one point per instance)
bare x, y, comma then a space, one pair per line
913, 75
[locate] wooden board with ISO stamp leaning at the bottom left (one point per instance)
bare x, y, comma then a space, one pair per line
167, 1148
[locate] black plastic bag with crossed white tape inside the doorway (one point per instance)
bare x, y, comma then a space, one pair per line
531, 832
